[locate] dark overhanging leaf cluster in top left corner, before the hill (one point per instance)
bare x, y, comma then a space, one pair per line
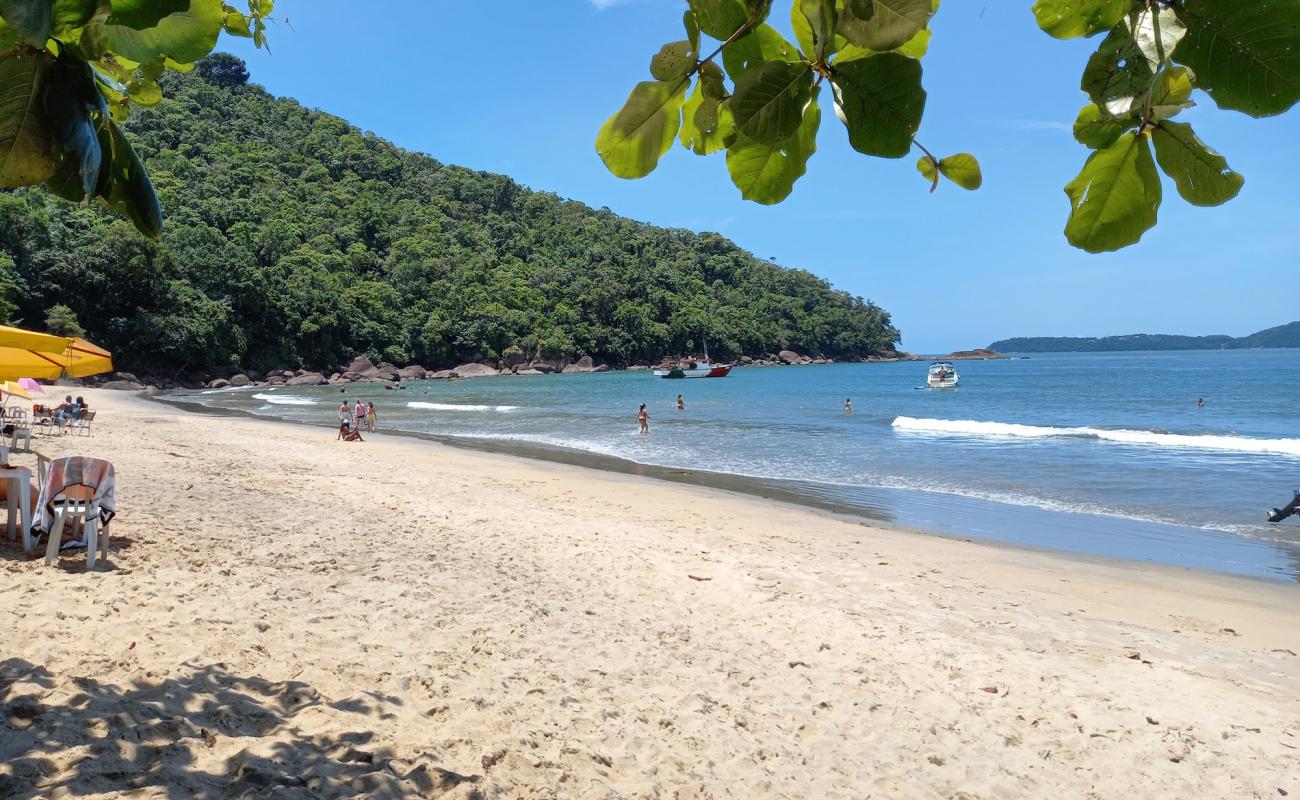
71, 72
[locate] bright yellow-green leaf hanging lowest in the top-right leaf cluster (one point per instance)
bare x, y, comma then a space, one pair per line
1113, 201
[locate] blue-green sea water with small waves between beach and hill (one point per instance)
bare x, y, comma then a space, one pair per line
1094, 453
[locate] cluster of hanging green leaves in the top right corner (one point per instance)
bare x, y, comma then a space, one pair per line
1245, 55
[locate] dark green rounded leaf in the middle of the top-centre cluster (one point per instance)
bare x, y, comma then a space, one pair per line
769, 102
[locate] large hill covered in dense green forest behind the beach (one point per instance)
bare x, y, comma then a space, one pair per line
293, 239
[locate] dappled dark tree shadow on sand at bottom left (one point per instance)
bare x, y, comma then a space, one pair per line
201, 734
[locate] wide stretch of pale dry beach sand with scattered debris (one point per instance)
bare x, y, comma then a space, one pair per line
288, 616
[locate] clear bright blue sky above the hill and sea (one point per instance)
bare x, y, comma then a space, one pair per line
522, 88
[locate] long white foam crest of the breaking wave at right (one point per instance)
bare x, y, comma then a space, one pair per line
1234, 444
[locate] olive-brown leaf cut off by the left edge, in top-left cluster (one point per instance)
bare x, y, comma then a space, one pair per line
28, 154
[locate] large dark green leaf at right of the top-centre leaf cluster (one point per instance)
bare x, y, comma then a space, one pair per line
882, 102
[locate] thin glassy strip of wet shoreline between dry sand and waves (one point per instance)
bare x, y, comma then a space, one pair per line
915, 512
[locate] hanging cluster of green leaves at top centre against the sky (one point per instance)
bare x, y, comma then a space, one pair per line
735, 84
